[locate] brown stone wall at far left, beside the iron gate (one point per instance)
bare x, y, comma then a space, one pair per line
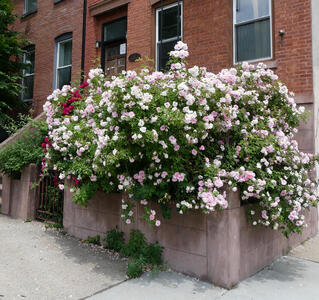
18, 200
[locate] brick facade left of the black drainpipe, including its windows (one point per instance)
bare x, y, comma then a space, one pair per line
54, 29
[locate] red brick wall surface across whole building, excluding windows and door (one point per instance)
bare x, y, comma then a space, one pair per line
208, 30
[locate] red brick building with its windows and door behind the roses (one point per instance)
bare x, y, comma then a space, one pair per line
219, 34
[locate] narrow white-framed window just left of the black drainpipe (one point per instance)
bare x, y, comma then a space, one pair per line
63, 60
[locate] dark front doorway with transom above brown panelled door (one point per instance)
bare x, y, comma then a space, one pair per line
114, 47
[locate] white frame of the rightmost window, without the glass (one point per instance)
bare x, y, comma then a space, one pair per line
248, 22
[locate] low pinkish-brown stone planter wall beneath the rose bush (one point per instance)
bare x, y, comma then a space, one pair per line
221, 247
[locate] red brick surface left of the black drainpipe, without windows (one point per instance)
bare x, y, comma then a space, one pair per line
41, 28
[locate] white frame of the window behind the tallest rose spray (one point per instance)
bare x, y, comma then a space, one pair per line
157, 11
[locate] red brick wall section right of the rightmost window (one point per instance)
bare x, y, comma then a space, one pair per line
293, 52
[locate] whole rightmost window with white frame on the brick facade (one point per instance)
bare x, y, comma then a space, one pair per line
252, 30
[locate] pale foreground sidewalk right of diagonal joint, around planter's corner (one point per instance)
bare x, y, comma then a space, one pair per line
288, 278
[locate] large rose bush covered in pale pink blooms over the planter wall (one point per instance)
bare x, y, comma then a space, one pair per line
186, 137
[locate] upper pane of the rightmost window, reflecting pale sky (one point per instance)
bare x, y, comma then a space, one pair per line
247, 10
